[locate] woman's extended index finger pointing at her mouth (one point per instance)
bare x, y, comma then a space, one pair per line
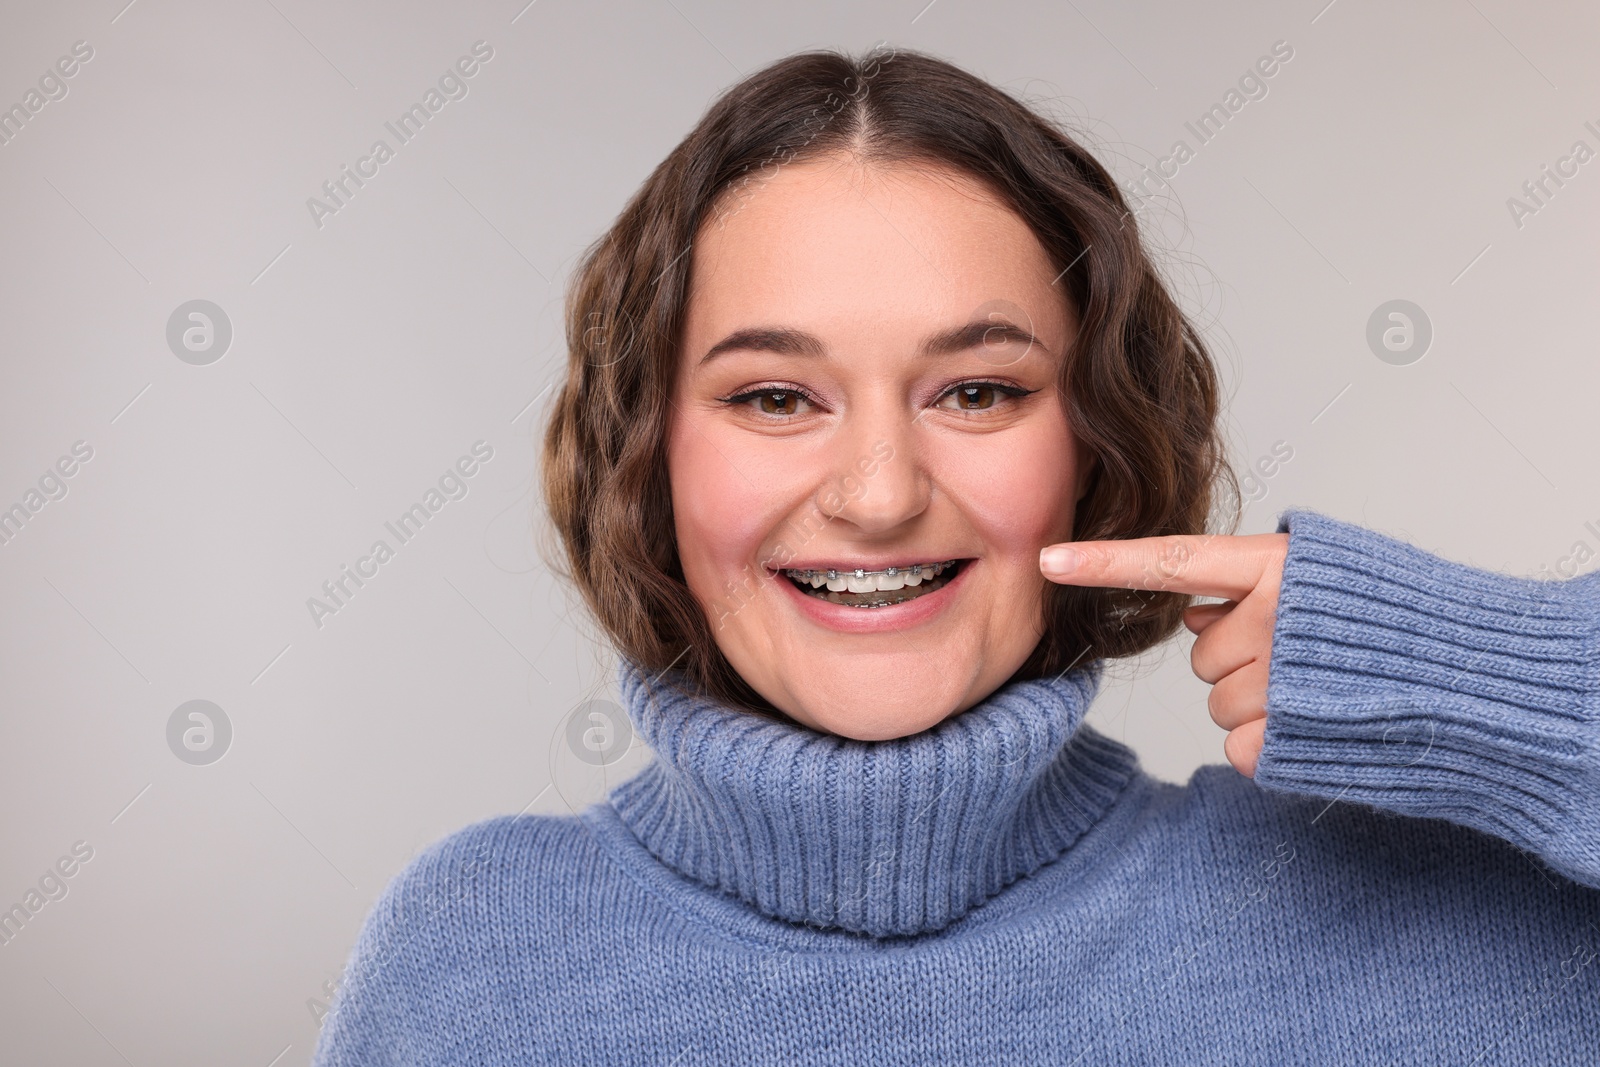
1202, 565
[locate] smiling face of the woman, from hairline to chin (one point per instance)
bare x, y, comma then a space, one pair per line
858, 390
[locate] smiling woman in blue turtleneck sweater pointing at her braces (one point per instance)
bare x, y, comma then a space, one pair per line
852, 378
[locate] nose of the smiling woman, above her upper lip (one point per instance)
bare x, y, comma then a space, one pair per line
878, 481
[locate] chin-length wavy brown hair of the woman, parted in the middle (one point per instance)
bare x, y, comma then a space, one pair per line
1140, 386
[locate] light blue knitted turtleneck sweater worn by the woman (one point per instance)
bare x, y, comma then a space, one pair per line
1412, 877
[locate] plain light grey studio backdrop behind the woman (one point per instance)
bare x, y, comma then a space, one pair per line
369, 354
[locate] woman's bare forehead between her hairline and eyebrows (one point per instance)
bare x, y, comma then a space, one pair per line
847, 242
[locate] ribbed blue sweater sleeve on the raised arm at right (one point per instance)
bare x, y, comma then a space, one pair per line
1438, 690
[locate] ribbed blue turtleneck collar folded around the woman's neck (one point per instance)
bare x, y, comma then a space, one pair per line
884, 837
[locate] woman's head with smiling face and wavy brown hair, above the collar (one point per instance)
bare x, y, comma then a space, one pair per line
938, 273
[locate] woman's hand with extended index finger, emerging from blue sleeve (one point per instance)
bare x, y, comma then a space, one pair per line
1234, 642
